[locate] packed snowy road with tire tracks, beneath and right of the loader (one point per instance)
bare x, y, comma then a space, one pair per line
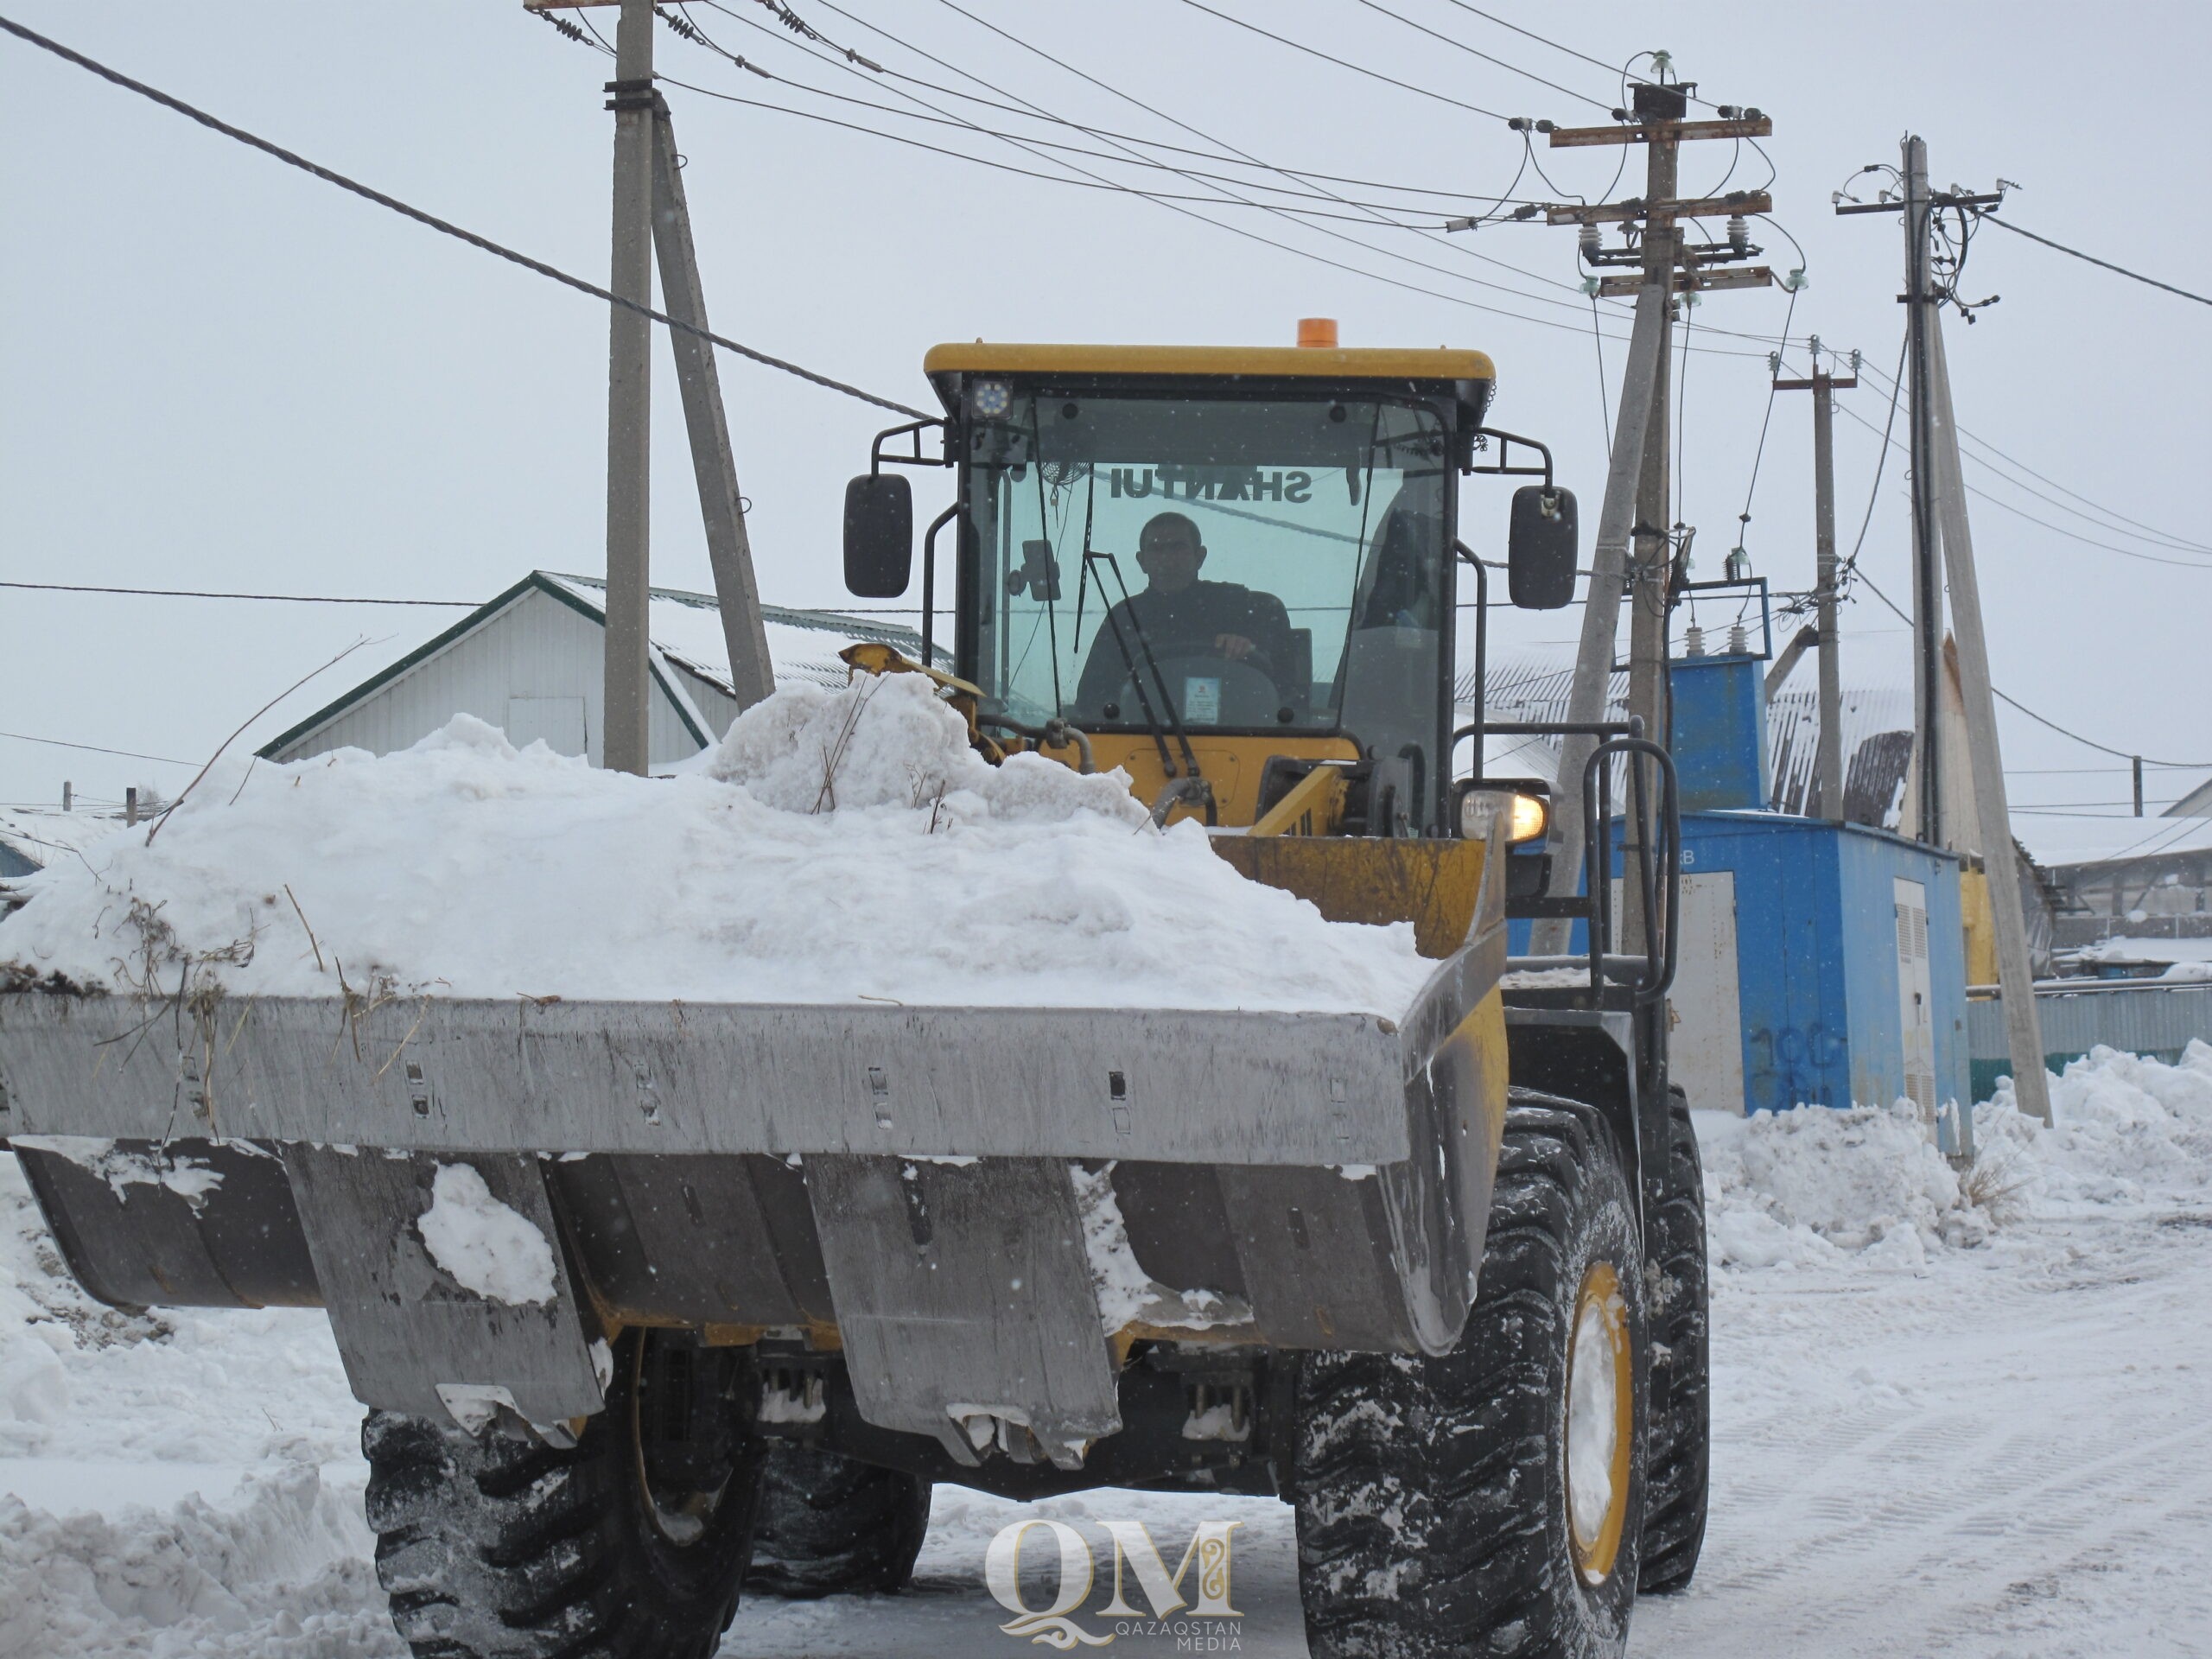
2010, 1457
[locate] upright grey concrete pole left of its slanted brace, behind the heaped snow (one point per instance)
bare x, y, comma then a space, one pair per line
629, 404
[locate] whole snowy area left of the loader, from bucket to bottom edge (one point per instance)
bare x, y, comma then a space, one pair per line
174, 1485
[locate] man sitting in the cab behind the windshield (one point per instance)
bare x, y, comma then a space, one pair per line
1180, 616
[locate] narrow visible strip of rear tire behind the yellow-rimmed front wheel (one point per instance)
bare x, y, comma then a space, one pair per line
1678, 1481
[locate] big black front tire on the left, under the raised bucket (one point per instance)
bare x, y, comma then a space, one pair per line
503, 1547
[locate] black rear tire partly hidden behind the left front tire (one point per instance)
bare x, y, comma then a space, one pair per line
835, 1527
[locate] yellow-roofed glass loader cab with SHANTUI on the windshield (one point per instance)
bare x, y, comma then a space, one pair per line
1218, 563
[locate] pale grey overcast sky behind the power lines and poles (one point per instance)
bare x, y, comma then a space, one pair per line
225, 375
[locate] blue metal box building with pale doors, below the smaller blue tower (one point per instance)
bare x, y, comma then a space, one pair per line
1819, 963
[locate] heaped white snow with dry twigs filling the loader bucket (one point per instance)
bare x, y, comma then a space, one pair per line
842, 844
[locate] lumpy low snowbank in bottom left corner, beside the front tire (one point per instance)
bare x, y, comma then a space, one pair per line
282, 1572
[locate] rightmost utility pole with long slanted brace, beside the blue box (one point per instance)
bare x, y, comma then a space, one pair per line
1941, 528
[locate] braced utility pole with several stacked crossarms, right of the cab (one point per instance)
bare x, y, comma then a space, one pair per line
1638, 486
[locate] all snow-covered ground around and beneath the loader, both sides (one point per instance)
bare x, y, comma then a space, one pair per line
1945, 1423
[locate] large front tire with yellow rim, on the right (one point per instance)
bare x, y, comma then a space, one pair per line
1432, 1494
